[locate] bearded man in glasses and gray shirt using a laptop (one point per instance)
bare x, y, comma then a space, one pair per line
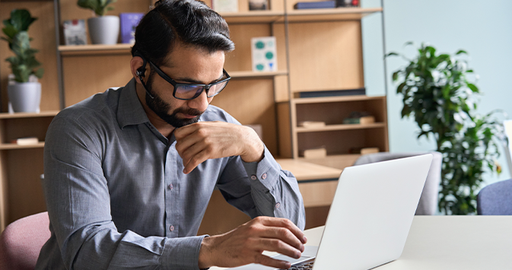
129, 172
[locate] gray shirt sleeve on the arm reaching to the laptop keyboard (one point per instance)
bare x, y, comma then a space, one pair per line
78, 202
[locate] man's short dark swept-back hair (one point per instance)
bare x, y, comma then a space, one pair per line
191, 22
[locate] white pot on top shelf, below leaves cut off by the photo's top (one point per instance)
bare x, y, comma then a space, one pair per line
104, 29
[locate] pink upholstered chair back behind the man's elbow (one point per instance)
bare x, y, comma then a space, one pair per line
22, 240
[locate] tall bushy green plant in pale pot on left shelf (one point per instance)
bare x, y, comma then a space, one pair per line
24, 91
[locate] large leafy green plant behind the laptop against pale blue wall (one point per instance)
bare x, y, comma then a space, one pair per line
439, 92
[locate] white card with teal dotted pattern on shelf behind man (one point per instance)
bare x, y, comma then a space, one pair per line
264, 56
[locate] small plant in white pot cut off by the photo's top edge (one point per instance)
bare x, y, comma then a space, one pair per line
102, 29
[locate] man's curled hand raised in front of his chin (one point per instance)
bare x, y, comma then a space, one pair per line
200, 141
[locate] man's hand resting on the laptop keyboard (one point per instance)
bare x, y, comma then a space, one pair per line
246, 243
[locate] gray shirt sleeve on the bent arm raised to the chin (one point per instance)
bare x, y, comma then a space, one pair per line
263, 189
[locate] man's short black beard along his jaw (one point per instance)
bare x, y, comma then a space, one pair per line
161, 108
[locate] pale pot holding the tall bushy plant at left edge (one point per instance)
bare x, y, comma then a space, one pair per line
24, 97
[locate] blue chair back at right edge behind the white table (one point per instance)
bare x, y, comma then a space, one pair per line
495, 199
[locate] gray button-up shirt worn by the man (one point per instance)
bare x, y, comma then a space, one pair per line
117, 196
